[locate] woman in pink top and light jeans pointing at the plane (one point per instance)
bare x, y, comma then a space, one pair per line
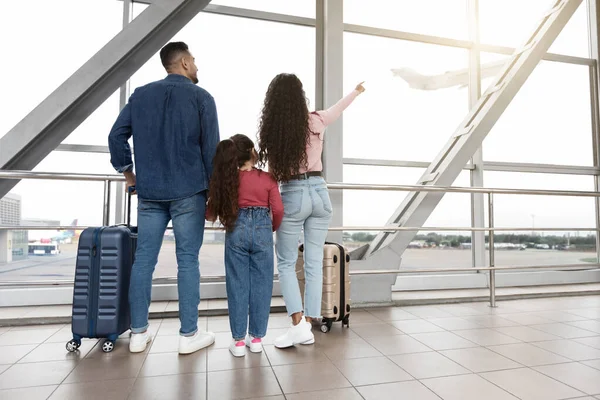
291, 142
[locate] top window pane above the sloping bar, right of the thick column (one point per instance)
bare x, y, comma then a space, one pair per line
448, 20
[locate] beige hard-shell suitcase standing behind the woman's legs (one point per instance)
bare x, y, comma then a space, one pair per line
335, 304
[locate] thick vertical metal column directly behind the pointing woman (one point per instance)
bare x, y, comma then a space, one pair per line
330, 88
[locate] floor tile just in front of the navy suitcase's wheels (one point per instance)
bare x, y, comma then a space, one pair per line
103, 369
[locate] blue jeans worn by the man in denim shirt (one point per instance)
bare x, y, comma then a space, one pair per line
188, 225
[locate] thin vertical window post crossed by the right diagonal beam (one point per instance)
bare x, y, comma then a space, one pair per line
477, 200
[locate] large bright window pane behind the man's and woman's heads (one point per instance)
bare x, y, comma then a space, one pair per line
239, 88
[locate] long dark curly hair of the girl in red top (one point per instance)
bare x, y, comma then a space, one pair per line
231, 154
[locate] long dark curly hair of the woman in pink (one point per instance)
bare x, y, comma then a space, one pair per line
284, 131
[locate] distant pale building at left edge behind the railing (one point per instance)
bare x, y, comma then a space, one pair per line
13, 244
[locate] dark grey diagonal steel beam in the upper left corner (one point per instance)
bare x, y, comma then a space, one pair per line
40, 132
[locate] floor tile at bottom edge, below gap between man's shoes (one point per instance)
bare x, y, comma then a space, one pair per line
171, 387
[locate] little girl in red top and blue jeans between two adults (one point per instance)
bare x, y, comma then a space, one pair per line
243, 198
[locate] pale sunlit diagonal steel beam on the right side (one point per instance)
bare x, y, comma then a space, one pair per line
418, 206
